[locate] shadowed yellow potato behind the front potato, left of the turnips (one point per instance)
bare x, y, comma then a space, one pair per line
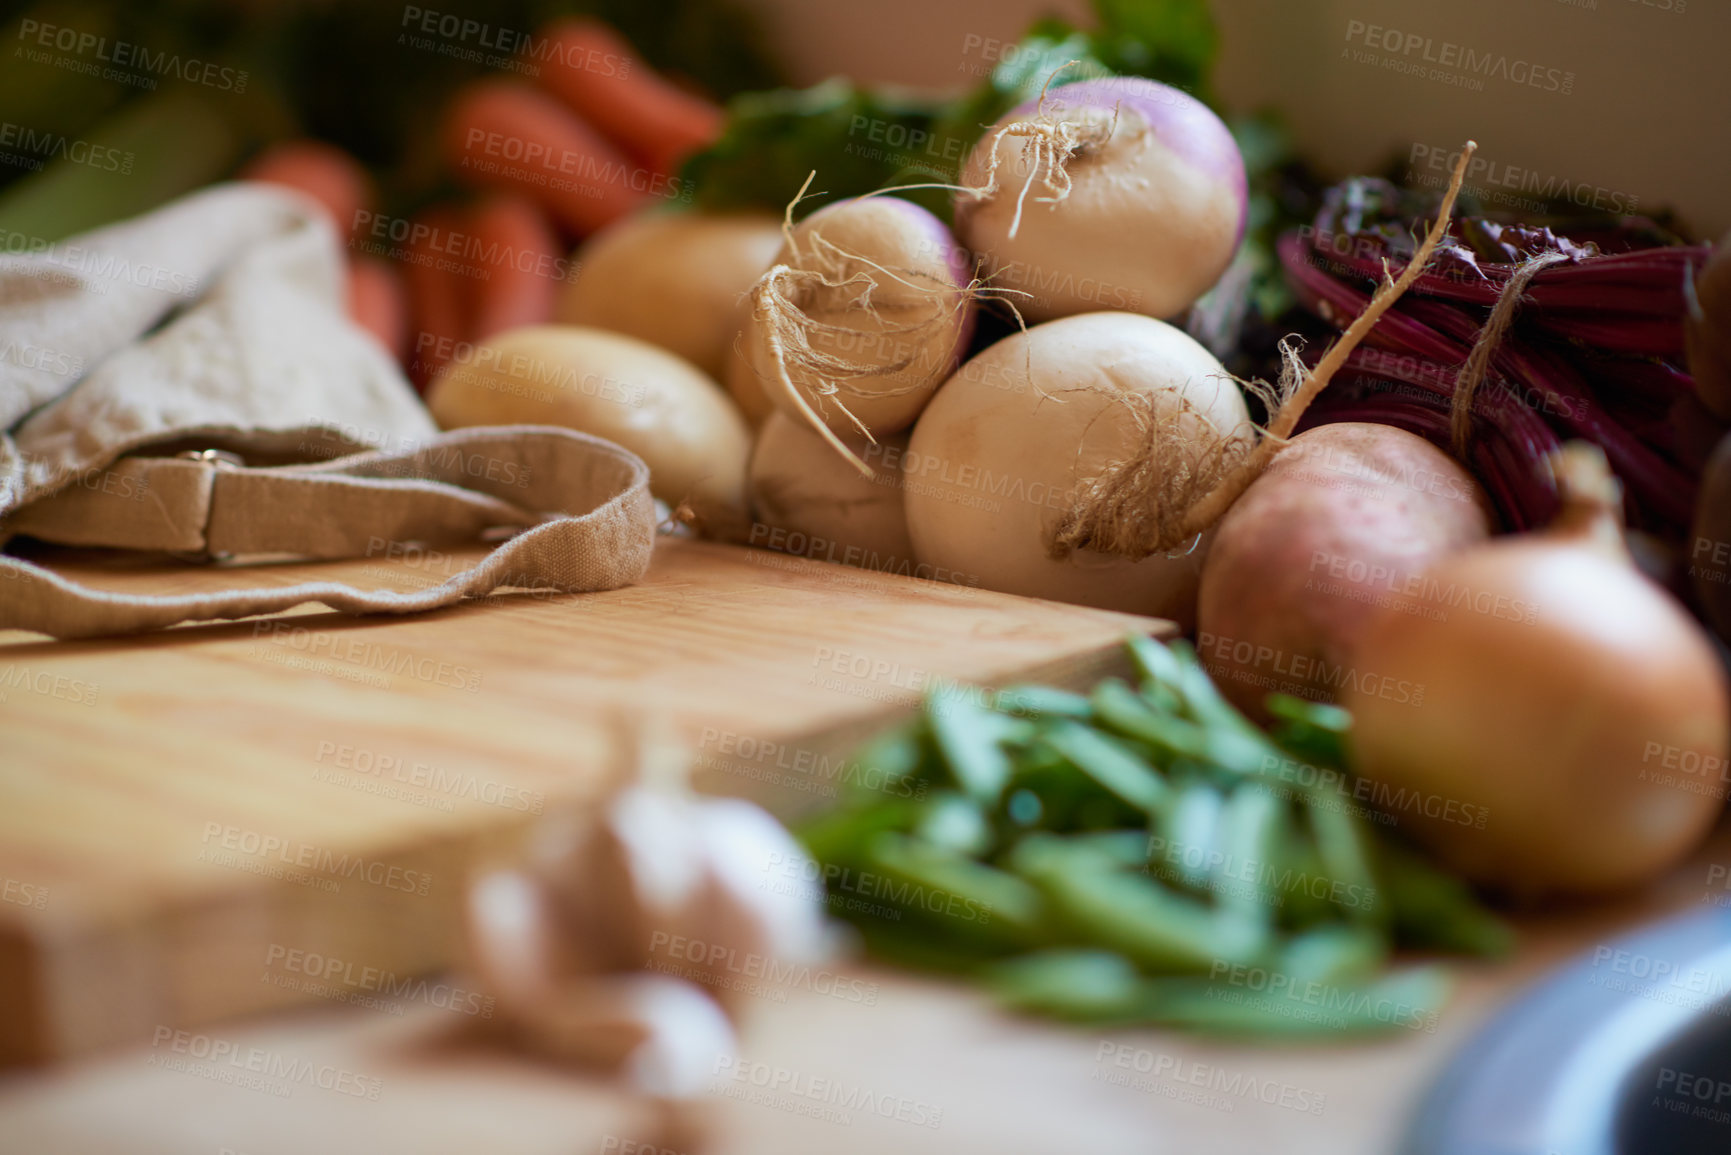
674, 280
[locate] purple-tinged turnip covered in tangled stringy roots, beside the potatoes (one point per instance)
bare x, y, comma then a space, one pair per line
865, 313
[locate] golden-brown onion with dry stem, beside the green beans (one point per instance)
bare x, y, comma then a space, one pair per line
1555, 721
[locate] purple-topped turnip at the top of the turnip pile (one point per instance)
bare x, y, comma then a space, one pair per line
1114, 193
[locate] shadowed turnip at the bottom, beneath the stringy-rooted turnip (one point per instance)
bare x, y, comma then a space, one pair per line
821, 507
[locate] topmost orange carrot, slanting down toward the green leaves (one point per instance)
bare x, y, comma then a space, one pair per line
595, 70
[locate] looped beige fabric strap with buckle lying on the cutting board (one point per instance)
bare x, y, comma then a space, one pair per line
582, 507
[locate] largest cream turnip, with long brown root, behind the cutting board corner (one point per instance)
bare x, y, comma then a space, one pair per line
1036, 427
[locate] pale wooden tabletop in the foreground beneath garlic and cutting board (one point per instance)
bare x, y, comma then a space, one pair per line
854, 1078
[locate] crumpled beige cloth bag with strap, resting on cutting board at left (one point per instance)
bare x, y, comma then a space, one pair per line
188, 382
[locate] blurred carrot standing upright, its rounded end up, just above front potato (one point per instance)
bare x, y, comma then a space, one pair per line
520, 262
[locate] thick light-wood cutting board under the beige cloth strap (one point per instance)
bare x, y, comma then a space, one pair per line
179, 810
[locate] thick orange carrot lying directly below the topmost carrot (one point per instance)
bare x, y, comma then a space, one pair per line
506, 136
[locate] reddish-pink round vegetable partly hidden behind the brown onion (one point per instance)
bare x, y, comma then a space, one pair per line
1344, 520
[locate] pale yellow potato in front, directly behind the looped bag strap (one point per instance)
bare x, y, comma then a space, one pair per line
619, 389
